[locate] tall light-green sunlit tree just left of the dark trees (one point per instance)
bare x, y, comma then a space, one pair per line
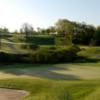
65, 28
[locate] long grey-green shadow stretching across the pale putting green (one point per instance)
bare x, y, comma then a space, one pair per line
41, 72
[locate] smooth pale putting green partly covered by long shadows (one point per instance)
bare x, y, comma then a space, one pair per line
52, 71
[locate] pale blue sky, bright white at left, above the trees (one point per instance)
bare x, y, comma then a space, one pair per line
45, 13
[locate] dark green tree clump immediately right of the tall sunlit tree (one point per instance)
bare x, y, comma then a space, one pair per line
83, 33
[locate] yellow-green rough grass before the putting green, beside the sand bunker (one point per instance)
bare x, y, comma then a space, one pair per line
41, 89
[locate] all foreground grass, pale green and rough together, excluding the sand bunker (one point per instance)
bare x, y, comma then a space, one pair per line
45, 82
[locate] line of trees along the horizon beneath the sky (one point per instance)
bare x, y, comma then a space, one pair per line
74, 32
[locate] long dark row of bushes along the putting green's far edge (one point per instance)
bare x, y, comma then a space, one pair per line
43, 55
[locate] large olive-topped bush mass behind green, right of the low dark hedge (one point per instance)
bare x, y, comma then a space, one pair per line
48, 55
